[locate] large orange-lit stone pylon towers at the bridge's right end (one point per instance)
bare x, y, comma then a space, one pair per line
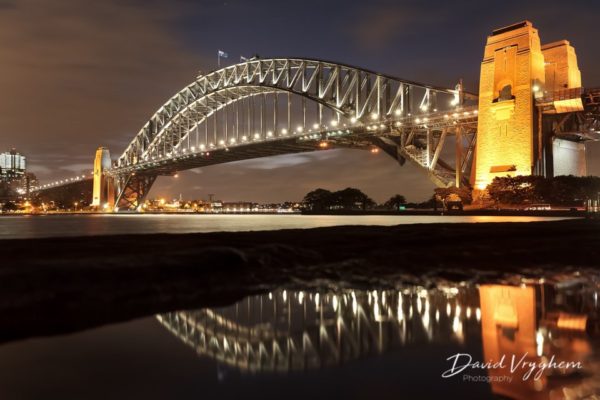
524, 89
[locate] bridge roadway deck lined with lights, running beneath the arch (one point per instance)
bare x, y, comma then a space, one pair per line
401, 138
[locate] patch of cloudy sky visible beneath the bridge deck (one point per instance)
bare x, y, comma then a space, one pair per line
289, 178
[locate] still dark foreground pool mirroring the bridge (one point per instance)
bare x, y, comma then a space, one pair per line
342, 343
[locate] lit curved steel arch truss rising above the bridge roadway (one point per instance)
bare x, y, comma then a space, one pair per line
349, 91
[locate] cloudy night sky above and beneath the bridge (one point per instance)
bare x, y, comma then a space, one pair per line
79, 74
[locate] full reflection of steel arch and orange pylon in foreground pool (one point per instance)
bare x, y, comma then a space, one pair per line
287, 331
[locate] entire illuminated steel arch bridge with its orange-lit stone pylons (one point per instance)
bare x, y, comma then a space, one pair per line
521, 123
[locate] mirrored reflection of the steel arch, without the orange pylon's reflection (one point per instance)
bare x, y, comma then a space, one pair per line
291, 330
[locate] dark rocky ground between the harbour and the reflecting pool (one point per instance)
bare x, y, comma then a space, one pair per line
57, 285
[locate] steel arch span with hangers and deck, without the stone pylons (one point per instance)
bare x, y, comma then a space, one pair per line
273, 106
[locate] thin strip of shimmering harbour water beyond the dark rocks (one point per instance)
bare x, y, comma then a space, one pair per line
36, 226
